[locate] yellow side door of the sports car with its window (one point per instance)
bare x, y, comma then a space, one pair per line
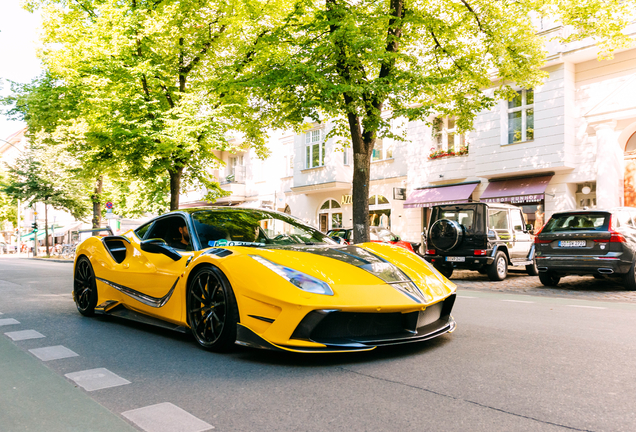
149, 278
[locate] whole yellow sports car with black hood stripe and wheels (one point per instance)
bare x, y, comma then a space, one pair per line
262, 279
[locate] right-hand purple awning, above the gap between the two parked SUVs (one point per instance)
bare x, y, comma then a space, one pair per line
517, 191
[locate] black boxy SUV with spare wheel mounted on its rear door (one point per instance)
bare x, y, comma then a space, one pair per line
487, 237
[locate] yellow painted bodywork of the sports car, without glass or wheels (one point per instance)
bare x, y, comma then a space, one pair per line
258, 290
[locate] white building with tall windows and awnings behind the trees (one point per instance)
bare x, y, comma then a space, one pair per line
568, 143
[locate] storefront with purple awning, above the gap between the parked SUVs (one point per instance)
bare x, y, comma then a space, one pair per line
527, 193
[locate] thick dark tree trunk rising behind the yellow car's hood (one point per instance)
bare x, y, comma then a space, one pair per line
361, 174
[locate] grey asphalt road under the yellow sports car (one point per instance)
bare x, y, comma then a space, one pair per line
515, 363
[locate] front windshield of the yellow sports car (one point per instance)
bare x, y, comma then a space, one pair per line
257, 228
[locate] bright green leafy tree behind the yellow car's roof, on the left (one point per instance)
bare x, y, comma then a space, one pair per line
151, 82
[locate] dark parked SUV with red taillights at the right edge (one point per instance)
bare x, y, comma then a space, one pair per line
601, 243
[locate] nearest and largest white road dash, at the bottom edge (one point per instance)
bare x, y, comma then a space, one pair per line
166, 417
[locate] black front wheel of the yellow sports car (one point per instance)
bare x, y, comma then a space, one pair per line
212, 310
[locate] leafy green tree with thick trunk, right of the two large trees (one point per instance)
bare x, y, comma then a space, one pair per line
362, 63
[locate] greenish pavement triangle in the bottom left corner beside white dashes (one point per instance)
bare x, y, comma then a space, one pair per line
34, 398
